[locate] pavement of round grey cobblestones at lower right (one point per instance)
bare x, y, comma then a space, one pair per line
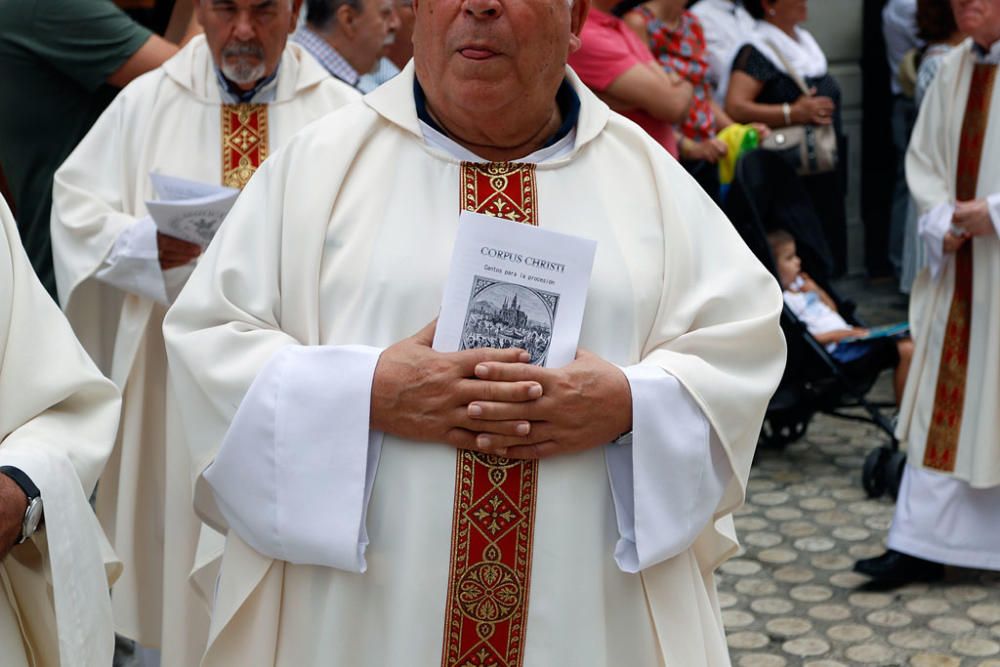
791, 598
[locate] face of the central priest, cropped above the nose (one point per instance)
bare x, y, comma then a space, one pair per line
480, 55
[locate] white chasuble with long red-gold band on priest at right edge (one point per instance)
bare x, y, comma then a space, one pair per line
948, 416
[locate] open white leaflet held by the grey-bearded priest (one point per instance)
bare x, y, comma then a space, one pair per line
189, 210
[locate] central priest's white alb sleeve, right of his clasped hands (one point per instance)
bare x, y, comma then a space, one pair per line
666, 483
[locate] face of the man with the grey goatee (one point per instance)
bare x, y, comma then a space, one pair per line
247, 37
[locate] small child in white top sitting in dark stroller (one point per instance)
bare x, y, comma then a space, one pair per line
848, 345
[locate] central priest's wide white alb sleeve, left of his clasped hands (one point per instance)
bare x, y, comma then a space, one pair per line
295, 471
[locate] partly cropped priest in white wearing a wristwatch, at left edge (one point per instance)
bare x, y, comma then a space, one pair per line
58, 416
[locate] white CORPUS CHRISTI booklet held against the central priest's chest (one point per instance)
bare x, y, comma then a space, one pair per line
514, 285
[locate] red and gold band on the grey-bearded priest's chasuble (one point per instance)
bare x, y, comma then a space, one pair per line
244, 142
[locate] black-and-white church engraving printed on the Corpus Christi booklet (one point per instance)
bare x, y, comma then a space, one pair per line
503, 315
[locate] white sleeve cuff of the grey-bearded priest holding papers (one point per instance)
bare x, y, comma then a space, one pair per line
133, 265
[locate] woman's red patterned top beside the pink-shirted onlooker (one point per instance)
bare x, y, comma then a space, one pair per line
682, 50
